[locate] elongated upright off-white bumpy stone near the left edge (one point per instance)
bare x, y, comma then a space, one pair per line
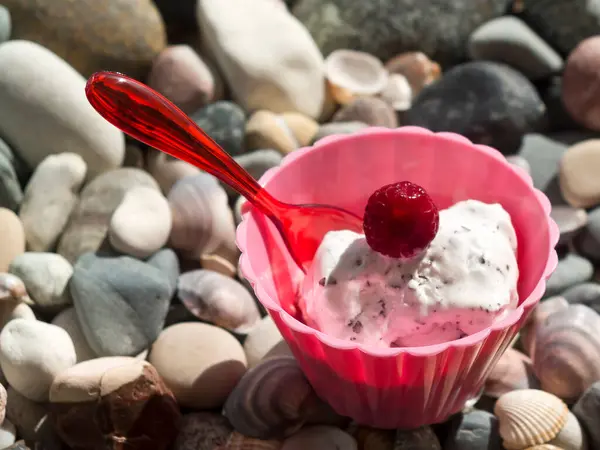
50, 196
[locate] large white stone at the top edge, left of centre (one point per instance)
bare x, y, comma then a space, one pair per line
265, 69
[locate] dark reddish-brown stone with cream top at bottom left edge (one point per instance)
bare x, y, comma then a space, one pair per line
129, 392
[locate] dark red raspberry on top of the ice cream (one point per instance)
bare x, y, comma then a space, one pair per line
400, 220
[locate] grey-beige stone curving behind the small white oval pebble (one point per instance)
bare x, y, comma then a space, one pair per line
89, 223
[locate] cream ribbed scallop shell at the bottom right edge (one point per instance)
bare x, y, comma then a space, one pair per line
529, 417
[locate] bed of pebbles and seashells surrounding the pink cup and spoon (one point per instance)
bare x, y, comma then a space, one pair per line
124, 321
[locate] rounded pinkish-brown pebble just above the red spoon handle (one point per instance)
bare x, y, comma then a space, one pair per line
181, 75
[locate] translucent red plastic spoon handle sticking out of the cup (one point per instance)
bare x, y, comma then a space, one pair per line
149, 117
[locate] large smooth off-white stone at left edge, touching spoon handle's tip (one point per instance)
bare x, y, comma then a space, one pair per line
41, 90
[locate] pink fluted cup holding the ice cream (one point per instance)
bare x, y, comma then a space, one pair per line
396, 387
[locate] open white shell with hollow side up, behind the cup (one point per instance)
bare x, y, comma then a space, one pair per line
352, 74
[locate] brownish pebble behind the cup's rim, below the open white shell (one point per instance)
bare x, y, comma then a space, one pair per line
370, 110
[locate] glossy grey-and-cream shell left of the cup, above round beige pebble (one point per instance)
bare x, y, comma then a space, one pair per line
218, 299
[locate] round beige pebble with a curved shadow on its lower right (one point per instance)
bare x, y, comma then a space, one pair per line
200, 363
